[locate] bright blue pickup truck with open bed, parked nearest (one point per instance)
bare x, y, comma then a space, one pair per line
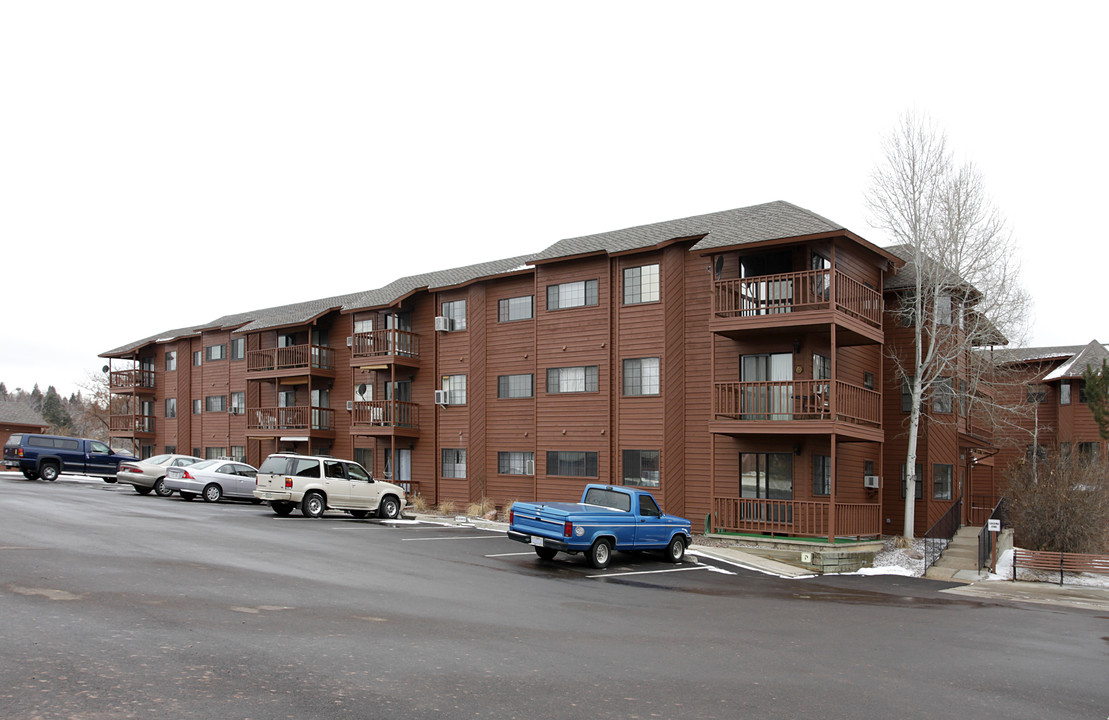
608, 519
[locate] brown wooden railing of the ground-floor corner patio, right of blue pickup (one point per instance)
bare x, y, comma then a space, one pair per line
805, 519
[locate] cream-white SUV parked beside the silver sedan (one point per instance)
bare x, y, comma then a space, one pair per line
317, 484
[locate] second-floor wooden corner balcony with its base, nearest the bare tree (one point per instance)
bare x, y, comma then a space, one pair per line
797, 408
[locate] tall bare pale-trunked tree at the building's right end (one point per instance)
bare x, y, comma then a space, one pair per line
960, 290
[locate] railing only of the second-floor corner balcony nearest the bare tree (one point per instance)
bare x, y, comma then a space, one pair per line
798, 401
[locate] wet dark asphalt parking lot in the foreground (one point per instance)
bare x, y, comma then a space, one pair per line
119, 605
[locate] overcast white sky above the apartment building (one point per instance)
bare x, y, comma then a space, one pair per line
162, 165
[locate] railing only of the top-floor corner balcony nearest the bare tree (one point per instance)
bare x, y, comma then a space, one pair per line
797, 292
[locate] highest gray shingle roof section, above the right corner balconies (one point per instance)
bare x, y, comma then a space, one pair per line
757, 224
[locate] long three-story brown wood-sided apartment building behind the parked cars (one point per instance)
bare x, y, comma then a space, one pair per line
732, 362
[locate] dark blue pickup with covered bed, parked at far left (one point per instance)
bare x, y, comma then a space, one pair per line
48, 457
